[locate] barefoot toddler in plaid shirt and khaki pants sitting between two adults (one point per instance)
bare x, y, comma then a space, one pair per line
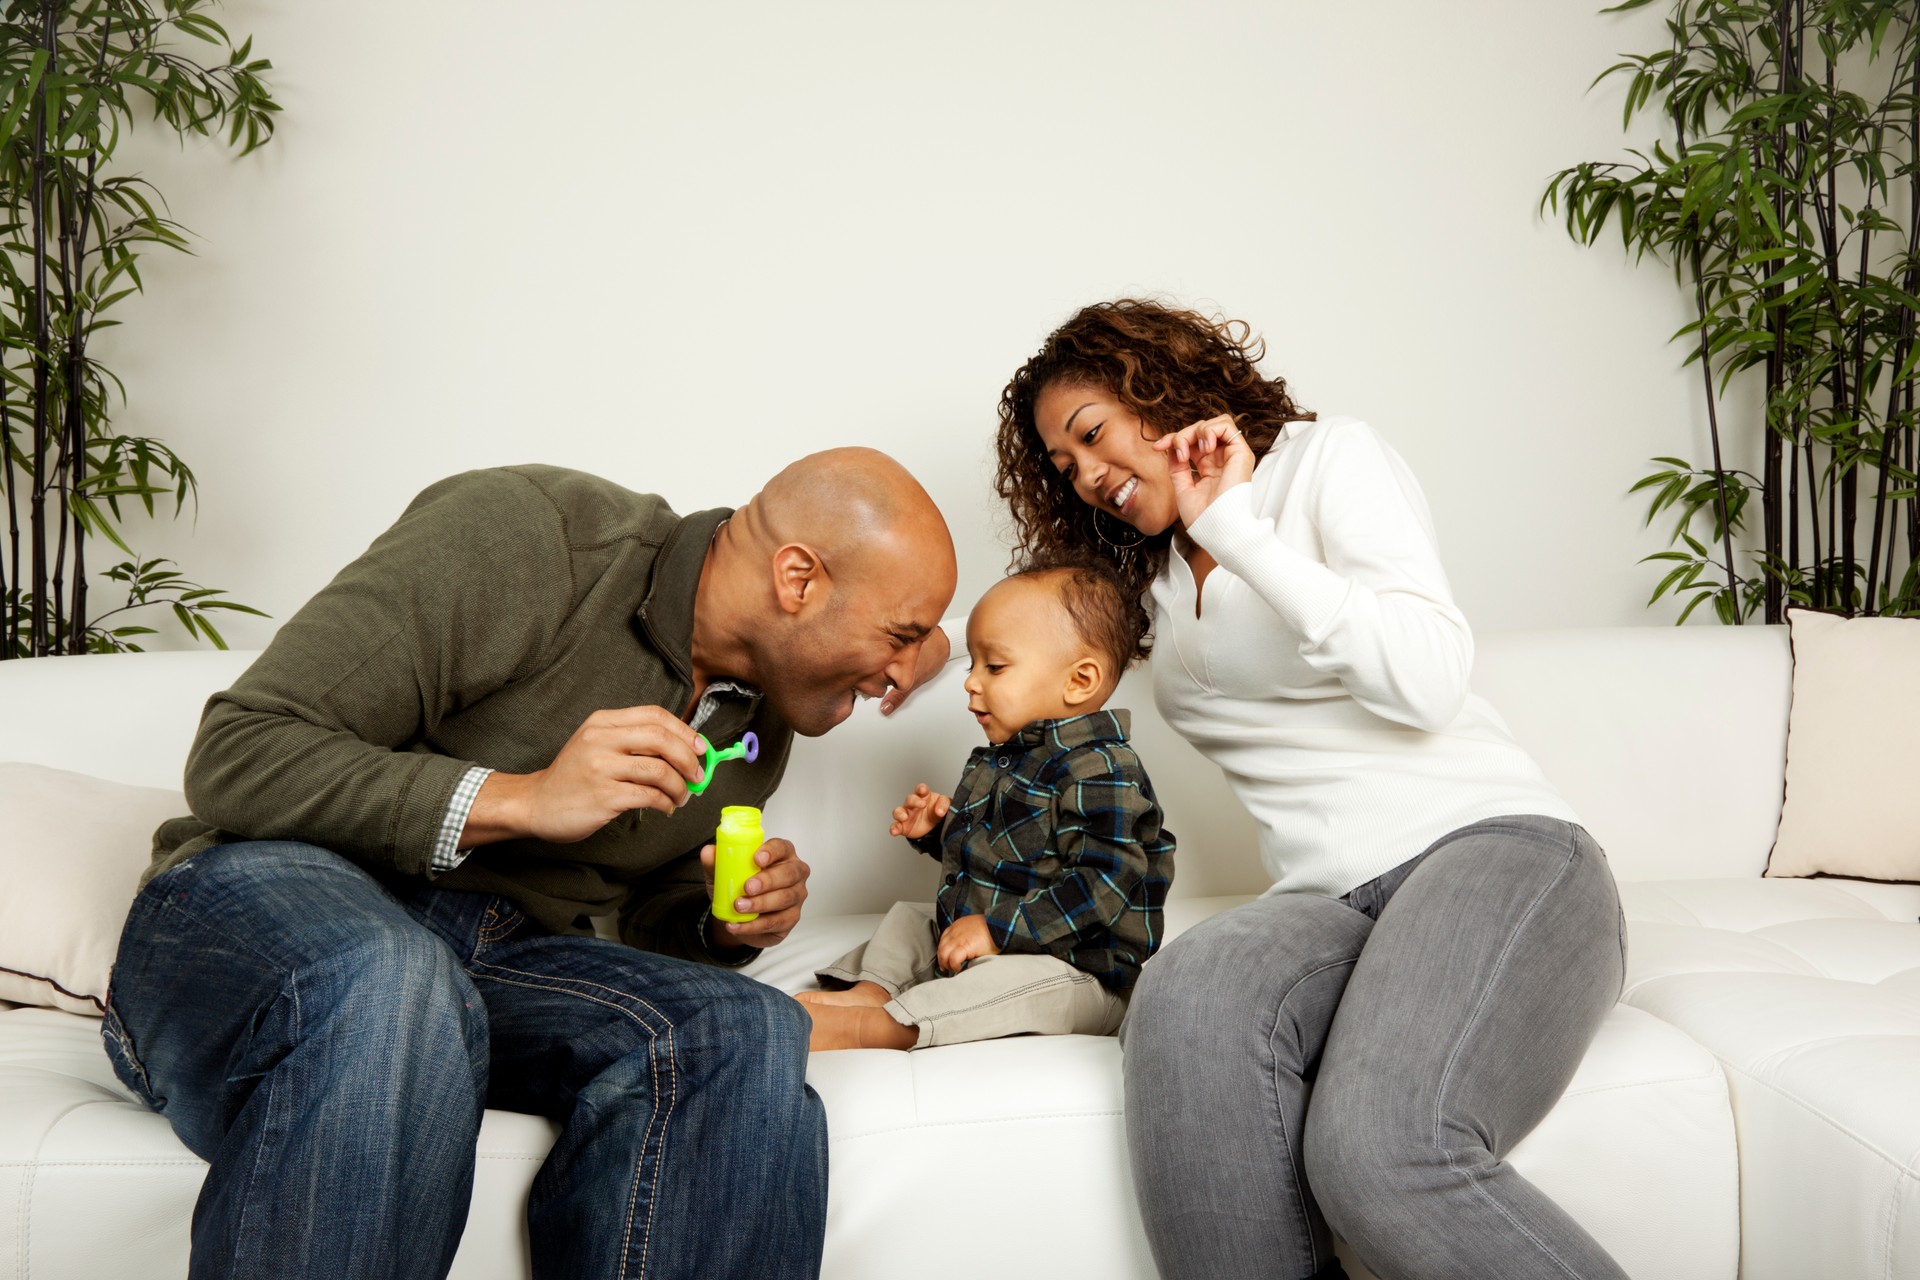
1053, 847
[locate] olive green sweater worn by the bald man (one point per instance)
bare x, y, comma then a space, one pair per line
483, 628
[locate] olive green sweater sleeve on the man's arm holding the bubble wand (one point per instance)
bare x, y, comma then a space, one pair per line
324, 738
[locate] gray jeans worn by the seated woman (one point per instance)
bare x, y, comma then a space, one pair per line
1437, 1012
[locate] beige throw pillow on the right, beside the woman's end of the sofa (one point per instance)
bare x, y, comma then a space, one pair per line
1854, 749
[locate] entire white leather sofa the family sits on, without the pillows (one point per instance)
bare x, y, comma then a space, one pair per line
1752, 1106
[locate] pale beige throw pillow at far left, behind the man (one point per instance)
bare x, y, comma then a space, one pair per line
72, 853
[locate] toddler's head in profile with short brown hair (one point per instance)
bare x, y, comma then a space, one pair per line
1047, 644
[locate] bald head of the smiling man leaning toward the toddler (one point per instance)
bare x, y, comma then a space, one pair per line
828, 582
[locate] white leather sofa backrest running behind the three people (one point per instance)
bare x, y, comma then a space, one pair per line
1669, 742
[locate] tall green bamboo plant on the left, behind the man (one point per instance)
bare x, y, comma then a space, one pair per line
74, 80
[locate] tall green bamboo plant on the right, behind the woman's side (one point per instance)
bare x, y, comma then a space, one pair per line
1783, 189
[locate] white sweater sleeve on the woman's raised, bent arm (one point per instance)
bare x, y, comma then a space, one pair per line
1378, 615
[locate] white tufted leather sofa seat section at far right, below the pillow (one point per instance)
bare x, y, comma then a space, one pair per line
1810, 995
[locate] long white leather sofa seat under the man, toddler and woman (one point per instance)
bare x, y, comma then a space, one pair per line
1641, 1150
